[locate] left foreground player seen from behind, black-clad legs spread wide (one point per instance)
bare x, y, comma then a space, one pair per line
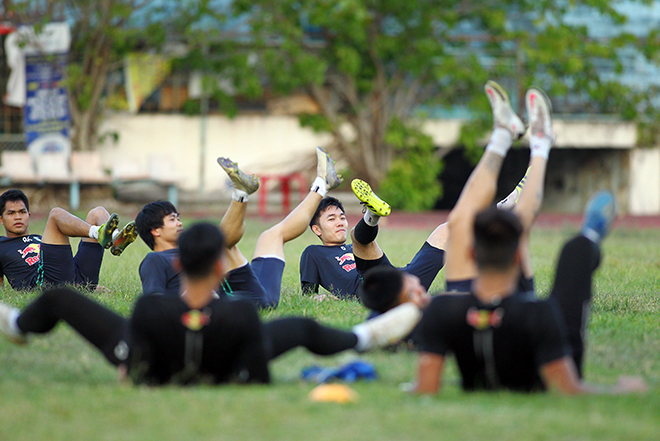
196, 337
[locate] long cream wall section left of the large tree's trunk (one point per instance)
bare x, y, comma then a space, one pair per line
169, 145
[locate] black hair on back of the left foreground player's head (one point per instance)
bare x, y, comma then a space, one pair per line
200, 246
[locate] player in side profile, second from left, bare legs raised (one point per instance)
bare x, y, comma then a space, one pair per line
258, 281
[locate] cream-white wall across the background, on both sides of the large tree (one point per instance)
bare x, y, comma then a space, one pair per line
168, 146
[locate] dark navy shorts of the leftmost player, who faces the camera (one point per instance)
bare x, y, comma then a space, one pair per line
60, 266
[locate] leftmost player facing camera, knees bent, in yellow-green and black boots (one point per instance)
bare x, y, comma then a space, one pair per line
30, 260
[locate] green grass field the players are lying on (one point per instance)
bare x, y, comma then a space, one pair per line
59, 387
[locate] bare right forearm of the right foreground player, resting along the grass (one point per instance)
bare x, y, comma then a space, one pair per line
562, 375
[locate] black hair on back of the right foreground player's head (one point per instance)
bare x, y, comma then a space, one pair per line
496, 238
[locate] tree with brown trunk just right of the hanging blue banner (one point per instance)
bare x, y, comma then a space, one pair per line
101, 33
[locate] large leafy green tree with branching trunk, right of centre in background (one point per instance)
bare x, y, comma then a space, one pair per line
369, 65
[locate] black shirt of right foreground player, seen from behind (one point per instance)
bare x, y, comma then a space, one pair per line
496, 346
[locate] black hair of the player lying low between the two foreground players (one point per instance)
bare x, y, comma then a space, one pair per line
380, 289
